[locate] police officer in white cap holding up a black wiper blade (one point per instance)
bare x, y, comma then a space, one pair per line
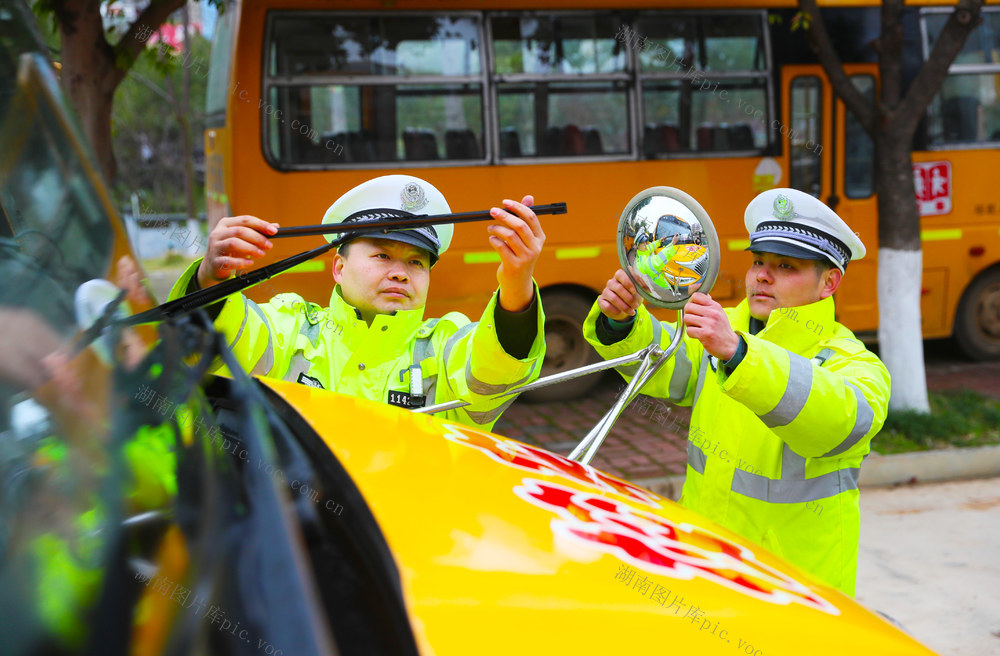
372, 340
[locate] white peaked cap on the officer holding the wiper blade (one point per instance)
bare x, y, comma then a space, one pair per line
395, 196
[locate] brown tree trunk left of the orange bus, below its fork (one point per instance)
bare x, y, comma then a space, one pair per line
89, 75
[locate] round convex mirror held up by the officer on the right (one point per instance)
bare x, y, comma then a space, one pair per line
668, 246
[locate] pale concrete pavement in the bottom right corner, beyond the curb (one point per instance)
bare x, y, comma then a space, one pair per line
928, 558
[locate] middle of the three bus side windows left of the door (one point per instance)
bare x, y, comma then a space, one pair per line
540, 112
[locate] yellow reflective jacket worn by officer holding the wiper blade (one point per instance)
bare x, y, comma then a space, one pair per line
335, 349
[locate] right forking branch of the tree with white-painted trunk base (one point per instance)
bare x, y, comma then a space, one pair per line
966, 17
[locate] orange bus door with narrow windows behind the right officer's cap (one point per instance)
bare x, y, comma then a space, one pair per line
826, 153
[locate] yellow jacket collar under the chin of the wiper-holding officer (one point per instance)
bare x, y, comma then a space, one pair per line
389, 333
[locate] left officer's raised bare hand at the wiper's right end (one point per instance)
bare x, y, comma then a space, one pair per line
518, 239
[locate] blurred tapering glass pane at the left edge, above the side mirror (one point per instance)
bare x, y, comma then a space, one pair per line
57, 234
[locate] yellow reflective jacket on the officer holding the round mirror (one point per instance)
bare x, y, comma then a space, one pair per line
775, 448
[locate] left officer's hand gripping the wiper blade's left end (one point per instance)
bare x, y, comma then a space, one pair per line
234, 243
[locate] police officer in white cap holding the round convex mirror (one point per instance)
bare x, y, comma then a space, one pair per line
786, 400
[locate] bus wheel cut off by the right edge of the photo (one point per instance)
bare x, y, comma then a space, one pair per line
977, 323
